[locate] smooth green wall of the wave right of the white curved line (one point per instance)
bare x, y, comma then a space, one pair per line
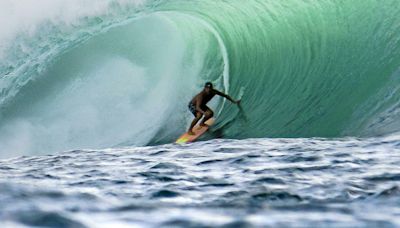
307, 67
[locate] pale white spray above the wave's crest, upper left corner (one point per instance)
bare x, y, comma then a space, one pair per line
25, 16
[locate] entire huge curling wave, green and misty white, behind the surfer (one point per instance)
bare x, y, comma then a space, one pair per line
122, 73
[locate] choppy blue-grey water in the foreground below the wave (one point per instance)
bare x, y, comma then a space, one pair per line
219, 183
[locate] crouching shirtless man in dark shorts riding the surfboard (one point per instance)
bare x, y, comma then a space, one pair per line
198, 105
